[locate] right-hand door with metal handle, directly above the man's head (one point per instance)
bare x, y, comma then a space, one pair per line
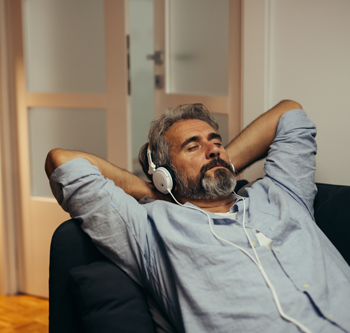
200, 44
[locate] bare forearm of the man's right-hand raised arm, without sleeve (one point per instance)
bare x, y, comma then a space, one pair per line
253, 143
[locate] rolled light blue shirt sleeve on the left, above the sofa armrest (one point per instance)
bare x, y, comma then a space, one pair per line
115, 221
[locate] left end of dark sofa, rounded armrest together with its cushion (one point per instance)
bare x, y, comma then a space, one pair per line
87, 292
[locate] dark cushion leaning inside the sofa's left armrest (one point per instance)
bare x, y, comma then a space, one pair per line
108, 300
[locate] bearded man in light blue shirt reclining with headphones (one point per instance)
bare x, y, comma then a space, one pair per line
216, 262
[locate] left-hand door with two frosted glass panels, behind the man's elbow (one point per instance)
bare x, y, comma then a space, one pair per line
70, 82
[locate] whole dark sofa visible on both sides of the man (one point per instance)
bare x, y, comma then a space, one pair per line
88, 293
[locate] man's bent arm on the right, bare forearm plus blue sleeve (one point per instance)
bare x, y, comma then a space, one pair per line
288, 141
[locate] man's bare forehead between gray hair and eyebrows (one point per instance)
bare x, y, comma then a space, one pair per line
186, 128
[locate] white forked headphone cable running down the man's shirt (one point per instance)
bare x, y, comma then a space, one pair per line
256, 262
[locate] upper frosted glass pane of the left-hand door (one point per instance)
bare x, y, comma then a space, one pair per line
64, 45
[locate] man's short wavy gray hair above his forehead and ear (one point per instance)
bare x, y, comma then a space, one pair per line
159, 146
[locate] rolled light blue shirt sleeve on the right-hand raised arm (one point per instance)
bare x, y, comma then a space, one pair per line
291, 158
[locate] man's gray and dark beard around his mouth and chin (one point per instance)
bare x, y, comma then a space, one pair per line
206, 187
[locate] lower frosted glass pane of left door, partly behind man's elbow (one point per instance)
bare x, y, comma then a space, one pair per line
74, 129
